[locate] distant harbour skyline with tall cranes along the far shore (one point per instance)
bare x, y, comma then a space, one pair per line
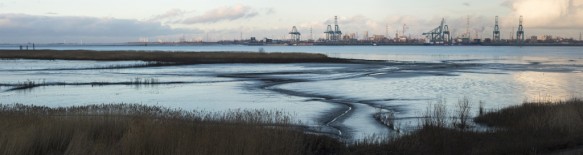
439, 35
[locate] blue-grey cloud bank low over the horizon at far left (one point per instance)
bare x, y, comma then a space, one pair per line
32, 28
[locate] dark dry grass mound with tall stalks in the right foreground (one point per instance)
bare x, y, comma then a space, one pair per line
531, 128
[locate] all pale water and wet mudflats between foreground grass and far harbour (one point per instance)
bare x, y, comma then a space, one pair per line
340, 98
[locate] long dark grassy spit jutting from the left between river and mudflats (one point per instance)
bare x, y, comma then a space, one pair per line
177, 57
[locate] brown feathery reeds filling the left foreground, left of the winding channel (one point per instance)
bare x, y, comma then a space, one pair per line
137, 129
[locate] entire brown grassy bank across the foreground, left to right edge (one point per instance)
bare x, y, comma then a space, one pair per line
531, 128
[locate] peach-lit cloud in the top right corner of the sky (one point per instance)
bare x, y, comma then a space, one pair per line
548, 14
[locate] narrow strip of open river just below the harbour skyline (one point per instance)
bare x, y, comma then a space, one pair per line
401, 53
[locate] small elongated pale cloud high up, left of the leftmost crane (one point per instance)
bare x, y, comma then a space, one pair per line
227, 13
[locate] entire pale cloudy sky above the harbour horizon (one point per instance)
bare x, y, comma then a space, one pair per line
112, 21
